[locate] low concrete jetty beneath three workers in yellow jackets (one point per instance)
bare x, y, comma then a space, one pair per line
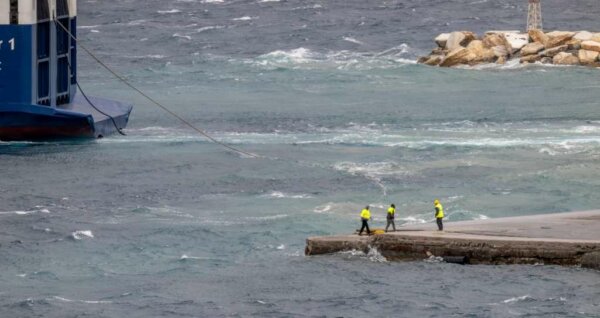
571, 238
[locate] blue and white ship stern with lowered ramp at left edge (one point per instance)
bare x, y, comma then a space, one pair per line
38, 77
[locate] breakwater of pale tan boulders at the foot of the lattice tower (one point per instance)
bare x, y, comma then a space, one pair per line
556, 47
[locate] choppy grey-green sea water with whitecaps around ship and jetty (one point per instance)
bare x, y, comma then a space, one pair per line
162, 223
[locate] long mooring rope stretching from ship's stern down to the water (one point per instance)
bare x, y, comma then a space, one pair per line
152, 100
